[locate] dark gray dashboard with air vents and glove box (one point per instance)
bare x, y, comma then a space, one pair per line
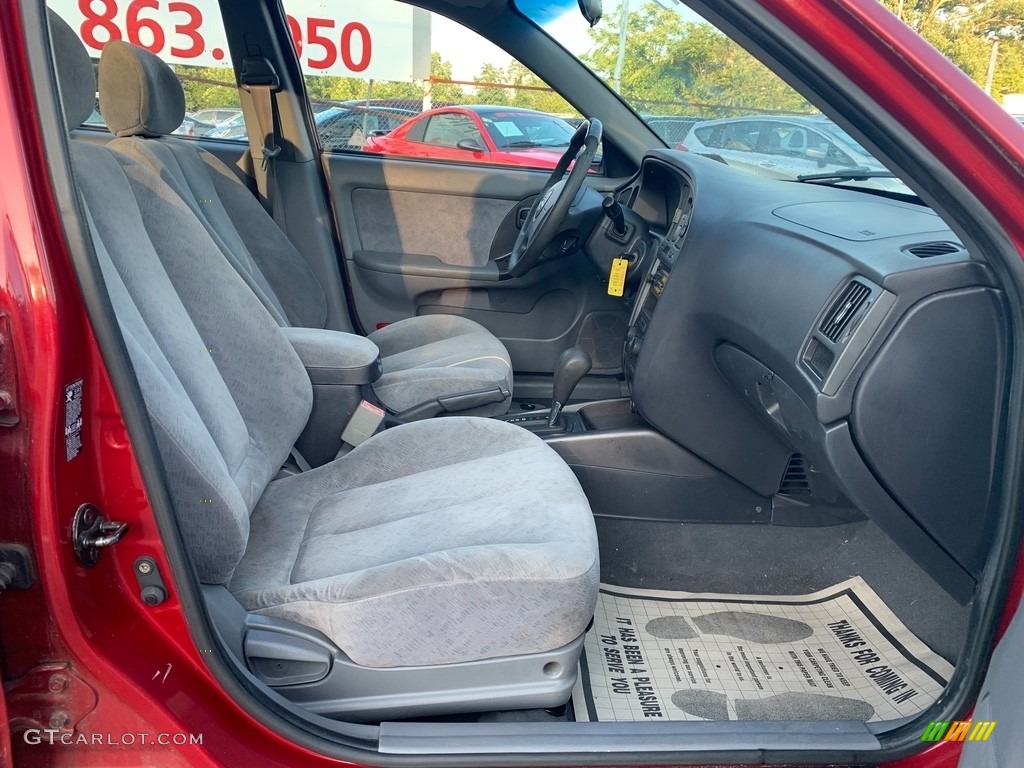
778, 319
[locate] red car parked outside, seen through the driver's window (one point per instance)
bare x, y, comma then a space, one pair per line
502, 136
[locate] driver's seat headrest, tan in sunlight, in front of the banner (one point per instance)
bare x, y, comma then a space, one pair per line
140, 96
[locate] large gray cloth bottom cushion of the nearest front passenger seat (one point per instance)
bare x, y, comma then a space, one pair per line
436, 542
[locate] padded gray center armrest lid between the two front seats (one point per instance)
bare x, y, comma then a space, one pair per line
334, 357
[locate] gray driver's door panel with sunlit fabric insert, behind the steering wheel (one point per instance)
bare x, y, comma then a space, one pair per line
422, 238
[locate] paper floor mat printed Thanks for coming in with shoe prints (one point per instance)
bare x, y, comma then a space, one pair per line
837, 655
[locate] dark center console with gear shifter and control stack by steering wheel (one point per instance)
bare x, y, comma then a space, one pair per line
627, 468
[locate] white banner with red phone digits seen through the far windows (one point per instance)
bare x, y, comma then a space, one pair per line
348, 38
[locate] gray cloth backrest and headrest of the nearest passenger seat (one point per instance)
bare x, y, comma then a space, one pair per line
226, 393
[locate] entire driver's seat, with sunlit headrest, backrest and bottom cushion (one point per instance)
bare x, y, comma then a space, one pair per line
423, 358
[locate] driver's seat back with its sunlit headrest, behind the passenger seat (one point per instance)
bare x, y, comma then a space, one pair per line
143, 103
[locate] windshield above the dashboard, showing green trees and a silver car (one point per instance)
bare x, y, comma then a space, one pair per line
703, 94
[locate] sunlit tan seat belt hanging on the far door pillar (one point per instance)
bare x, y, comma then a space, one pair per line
259, 77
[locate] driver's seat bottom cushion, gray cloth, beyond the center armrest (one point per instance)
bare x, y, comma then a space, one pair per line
434, 356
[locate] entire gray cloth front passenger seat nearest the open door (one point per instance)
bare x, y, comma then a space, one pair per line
423, 546
